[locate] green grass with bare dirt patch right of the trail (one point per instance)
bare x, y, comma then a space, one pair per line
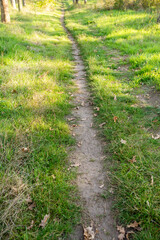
121, 50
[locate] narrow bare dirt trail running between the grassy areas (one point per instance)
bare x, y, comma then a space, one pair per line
88, 156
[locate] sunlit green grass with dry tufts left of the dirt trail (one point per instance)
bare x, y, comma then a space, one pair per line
35, 79
